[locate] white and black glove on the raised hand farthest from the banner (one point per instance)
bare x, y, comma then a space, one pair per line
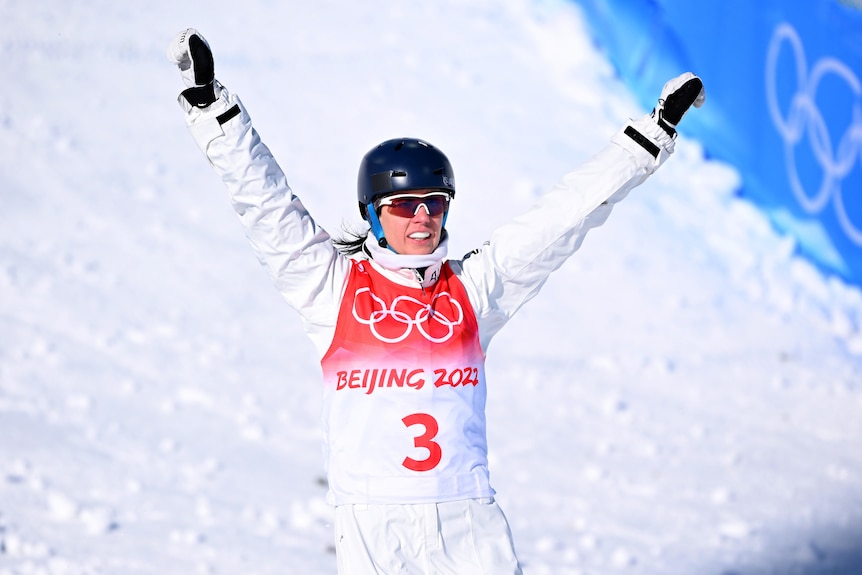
190, 51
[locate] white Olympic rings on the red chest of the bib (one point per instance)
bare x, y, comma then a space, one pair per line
405, 313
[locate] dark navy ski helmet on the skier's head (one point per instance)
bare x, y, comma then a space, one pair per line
401, 165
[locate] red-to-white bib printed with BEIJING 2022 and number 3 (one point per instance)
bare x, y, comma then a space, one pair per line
404, 395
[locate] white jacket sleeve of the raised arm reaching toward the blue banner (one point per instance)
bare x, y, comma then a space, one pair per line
510, 268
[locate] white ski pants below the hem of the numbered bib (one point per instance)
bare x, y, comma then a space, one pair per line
468, 537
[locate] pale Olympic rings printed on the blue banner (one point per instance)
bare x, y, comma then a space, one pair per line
803, 118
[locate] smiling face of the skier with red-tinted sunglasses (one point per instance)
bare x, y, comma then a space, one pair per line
413, 223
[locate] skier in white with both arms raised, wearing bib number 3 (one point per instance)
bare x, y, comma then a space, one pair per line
402, 331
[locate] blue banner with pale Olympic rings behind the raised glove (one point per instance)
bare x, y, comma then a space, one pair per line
784, 102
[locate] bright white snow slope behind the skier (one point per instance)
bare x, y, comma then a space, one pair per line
683, 397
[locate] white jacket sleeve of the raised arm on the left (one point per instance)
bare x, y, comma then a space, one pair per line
299, 255
